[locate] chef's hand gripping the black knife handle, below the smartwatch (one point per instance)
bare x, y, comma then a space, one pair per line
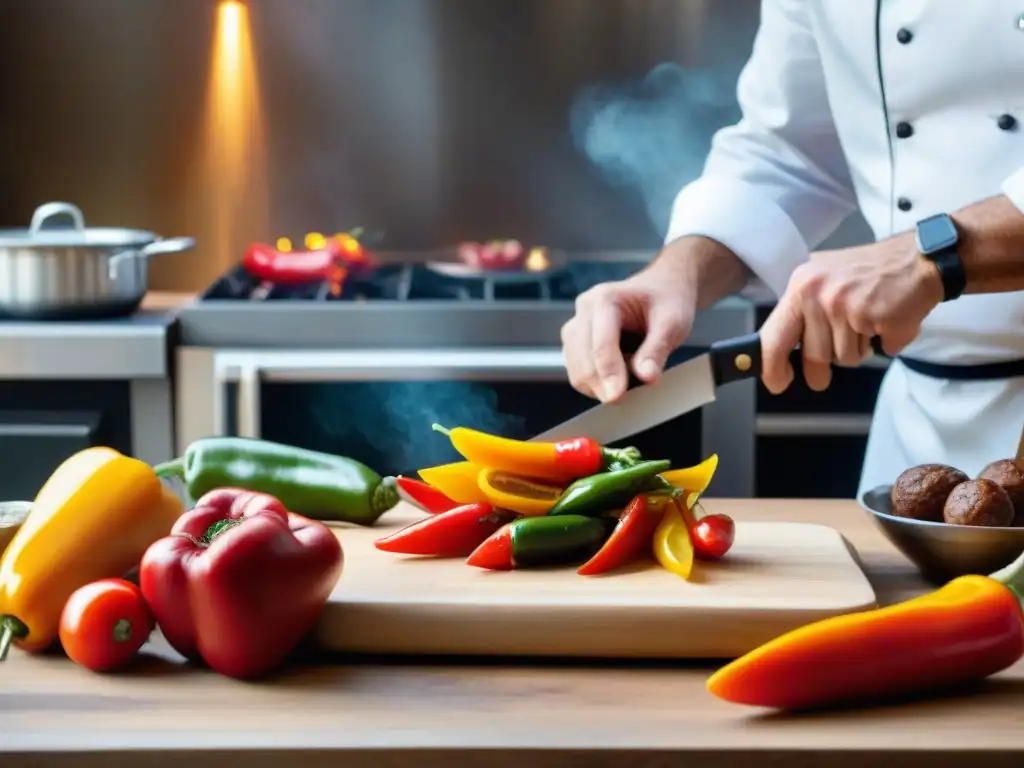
838, 301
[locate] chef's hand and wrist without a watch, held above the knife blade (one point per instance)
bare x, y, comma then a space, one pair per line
660, 301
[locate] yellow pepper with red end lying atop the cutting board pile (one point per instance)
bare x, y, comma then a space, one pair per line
560, 462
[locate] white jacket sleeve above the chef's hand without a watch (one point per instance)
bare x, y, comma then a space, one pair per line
777, 184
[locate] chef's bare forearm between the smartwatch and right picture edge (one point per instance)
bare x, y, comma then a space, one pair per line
992, 245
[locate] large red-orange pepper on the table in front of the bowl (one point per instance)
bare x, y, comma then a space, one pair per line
964, 632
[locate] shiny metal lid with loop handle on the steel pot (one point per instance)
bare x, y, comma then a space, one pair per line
63, 226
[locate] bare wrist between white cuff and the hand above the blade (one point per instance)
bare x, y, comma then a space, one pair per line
707, 264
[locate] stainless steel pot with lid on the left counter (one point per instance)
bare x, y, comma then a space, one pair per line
56, 272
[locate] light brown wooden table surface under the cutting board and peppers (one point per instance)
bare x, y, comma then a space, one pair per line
386, 713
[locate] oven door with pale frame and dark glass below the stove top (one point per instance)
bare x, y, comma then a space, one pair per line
378, 406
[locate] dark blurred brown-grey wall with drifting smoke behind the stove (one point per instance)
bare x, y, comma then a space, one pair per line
569, 122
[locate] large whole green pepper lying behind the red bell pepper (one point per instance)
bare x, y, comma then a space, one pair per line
311, 484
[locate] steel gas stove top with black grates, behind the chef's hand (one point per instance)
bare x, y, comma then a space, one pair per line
402, 304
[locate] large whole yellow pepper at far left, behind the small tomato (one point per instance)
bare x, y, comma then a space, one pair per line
94, 519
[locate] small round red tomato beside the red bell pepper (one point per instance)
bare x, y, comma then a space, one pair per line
105, 624
